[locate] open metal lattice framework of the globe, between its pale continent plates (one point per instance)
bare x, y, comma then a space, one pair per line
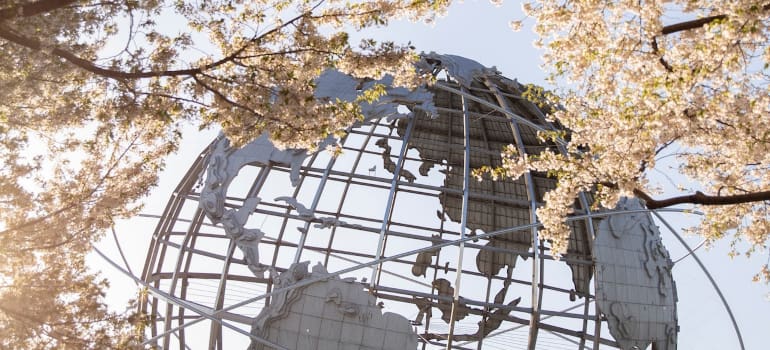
460, 258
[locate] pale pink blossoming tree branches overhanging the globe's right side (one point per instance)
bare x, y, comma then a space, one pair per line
643, 79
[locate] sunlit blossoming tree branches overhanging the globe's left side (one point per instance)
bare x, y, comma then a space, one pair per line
93, 95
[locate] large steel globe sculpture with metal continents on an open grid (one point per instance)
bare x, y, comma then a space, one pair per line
391, 244
